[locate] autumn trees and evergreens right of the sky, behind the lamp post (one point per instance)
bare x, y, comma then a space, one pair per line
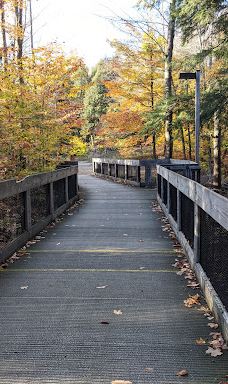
166, 38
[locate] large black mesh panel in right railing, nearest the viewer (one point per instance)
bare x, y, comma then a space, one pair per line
214, 254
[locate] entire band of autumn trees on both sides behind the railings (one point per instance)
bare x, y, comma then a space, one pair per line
132, 103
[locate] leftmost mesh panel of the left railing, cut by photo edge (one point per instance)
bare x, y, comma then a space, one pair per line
12, 218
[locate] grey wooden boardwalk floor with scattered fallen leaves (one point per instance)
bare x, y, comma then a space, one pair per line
98, 301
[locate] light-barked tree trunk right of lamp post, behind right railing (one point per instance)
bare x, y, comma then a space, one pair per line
217, 151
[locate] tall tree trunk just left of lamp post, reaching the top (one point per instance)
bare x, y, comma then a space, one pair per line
168, 80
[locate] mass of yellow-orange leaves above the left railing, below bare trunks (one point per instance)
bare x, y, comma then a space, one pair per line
37, 117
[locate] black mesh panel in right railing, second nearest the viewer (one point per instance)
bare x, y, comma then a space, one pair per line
187, 219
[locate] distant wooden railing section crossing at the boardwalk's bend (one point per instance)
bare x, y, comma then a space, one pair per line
141, 173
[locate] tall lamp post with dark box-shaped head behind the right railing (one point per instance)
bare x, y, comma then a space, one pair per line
195, 76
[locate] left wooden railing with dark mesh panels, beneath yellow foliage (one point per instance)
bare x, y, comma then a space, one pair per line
27, 206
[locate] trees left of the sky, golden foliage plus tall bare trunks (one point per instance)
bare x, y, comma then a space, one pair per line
41, 99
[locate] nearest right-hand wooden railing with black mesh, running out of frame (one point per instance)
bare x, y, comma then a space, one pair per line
199, 218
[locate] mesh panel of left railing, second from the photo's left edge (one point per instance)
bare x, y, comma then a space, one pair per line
40, 203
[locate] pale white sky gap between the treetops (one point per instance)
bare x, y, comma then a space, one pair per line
79, 25
